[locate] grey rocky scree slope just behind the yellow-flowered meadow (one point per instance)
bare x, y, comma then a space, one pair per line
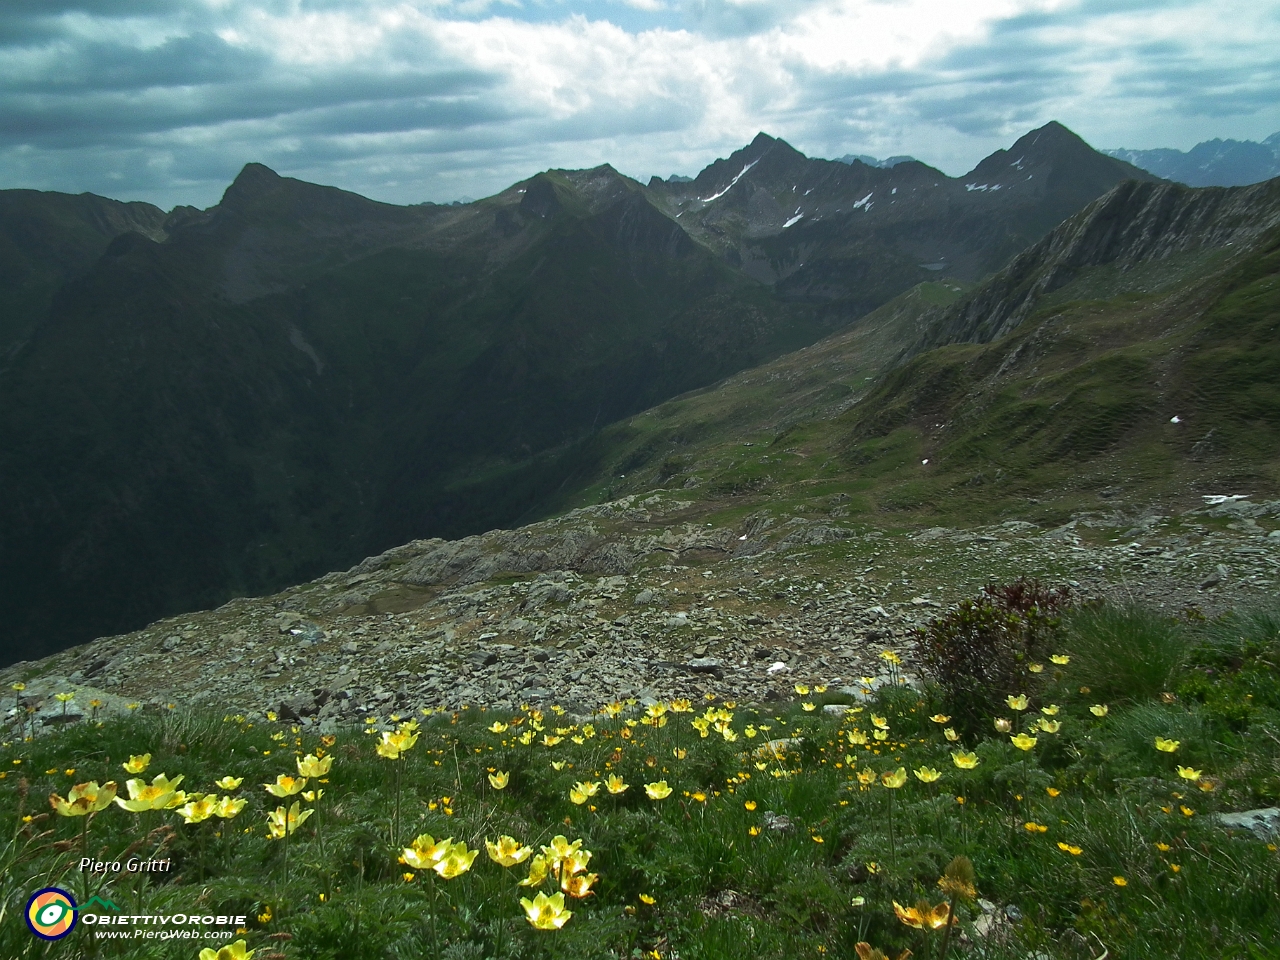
641, 598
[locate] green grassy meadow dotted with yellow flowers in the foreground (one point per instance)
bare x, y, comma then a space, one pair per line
721, 879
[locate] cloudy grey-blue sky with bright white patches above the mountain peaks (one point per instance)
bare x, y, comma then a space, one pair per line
166, 100
